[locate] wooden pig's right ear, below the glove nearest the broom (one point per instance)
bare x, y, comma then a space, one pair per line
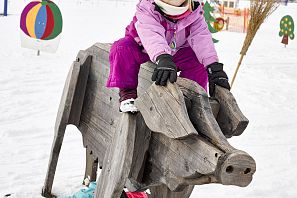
230, 118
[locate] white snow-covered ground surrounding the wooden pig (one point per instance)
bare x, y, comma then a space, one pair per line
31, 86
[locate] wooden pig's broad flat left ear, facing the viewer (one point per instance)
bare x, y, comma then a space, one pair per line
164, 111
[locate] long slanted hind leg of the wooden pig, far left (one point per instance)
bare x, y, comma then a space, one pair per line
69, 97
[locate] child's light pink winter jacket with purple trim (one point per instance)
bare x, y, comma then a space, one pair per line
150, 29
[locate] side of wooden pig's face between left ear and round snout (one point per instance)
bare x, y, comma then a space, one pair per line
173, 161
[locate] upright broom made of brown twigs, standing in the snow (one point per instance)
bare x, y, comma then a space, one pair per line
260, 10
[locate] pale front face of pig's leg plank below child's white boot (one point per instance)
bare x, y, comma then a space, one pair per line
118, 159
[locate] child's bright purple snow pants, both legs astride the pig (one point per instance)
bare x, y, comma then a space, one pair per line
126, 56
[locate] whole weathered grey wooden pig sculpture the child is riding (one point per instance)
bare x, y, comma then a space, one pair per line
176, 141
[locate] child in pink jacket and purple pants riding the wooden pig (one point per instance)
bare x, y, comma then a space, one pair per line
172, 34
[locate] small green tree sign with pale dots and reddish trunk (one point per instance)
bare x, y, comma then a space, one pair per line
287, 29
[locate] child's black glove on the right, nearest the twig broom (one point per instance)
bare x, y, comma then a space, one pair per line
216, 76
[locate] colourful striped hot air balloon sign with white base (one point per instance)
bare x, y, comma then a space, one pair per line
41, 26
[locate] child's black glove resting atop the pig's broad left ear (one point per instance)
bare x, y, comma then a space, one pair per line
166, 69
